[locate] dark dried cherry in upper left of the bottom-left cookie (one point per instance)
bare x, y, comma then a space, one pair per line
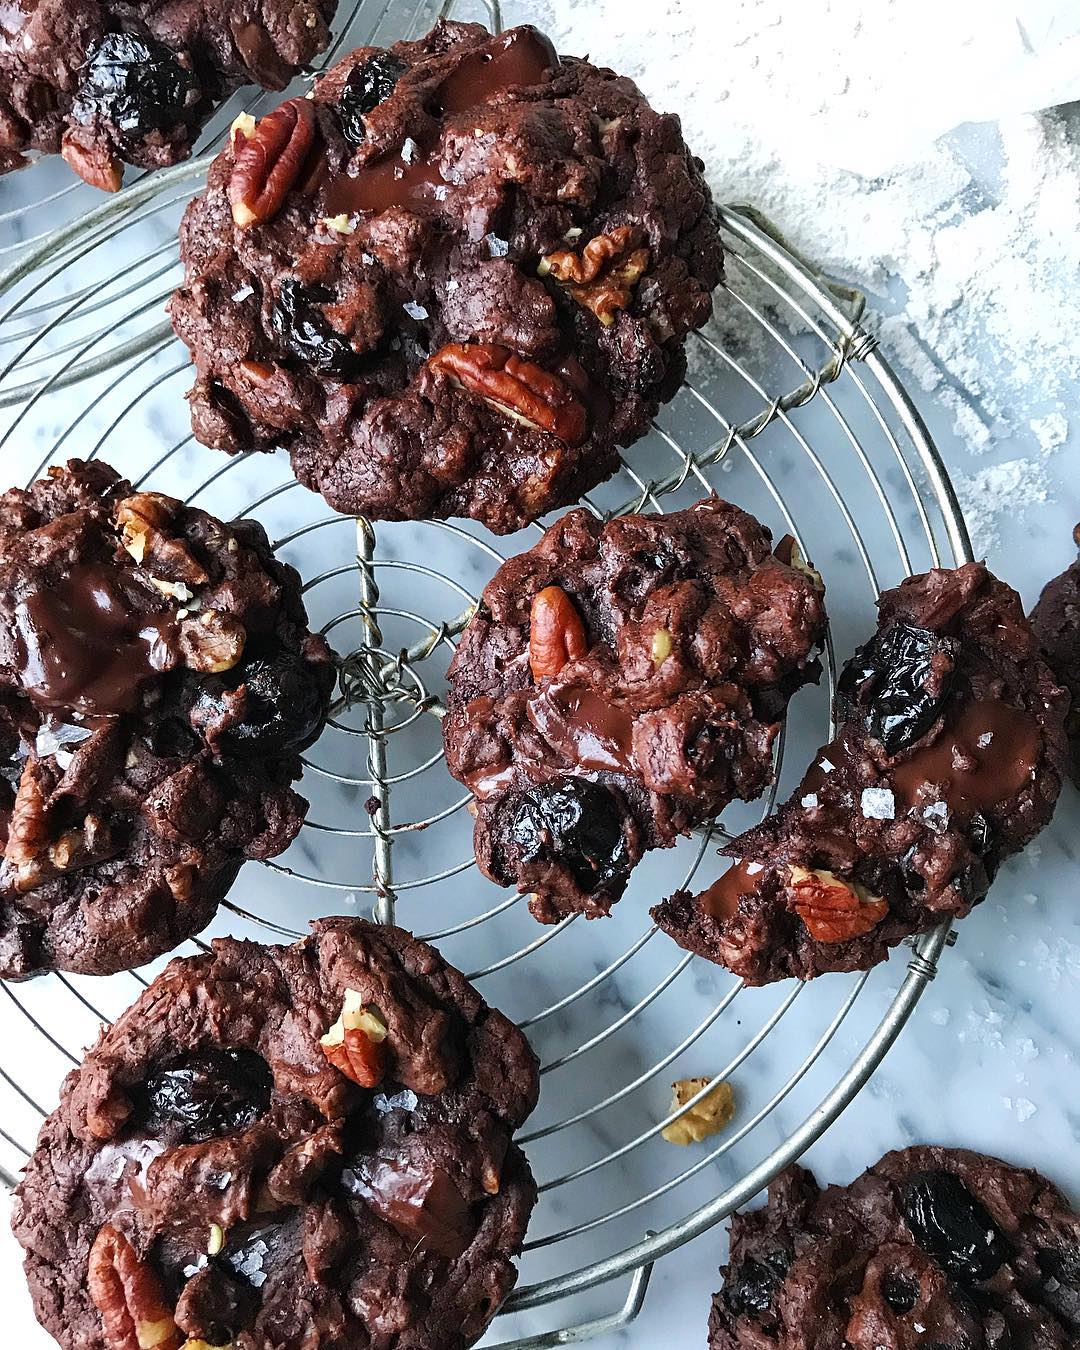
207, 1094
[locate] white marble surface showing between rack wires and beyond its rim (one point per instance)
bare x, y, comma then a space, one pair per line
989, 1060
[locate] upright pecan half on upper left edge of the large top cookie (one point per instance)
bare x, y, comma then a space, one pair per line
271, 163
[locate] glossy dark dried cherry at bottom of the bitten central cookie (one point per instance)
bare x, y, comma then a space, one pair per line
577, 824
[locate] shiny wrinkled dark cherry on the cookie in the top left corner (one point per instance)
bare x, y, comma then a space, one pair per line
137, 84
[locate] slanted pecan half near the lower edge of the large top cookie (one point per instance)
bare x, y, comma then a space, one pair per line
515, 387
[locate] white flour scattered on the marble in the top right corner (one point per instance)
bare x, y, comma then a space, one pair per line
838, 130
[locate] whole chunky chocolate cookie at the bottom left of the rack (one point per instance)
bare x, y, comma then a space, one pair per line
287, 1148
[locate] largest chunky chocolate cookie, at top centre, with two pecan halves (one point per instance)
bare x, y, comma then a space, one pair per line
453, 284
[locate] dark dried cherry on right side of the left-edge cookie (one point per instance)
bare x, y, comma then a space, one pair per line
265, 707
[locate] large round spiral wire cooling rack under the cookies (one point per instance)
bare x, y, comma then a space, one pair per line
839, 458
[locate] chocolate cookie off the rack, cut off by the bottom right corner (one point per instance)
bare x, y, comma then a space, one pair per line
932, 1249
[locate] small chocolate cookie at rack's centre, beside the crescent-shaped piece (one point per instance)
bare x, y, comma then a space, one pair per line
620, 685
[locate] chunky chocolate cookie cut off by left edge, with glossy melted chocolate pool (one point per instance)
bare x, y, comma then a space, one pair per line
157, 684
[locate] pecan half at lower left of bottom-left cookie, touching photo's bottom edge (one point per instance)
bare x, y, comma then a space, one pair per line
129, 1297
